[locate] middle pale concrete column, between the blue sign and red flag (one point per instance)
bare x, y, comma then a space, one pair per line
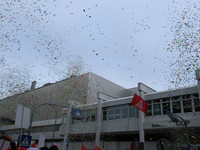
98, 123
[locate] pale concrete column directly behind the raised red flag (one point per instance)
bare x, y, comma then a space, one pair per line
141, 121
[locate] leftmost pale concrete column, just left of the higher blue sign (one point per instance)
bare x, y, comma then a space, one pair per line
67, 129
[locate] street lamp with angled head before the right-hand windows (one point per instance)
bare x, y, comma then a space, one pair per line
174, 118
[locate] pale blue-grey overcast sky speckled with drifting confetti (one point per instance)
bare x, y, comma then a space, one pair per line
124, 41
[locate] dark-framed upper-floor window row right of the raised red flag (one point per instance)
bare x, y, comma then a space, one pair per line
176, 104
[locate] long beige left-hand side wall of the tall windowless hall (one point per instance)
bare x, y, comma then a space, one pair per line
57, 93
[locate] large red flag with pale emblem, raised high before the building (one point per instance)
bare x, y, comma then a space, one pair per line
139, 103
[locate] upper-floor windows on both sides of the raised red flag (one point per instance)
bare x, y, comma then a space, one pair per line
178, 104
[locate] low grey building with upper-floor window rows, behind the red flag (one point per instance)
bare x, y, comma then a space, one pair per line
120, 121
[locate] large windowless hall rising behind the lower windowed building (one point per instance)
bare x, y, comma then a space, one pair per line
75, 90
